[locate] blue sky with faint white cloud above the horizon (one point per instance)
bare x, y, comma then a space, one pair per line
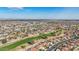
39, 13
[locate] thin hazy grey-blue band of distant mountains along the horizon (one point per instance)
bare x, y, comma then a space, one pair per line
39, 19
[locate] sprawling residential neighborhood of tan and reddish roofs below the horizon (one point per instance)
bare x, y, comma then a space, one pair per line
39, 35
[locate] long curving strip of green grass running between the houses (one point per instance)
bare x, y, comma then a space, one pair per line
26, 40
